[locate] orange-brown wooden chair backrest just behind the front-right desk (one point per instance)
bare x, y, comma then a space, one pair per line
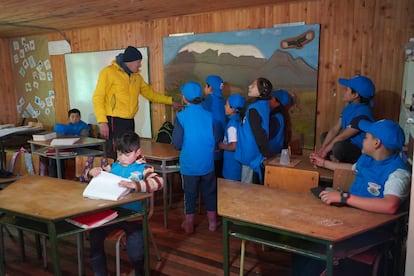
290, 179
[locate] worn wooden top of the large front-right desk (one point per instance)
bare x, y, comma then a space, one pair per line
300, 213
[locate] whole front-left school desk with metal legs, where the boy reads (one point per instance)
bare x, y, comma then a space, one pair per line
41, 205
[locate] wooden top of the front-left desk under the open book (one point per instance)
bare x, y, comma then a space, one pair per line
50, 198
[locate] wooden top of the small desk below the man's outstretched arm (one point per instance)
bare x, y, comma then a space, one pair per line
158, 151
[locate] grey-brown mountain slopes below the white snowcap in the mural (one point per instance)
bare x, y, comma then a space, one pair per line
239, 71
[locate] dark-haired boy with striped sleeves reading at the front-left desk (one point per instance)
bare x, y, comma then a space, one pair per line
131, 165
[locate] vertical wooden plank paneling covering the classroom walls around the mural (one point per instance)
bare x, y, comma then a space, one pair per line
356, 37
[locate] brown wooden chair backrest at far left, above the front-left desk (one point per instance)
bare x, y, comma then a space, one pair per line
21, 160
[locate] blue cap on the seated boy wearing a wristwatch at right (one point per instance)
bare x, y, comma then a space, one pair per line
389, 132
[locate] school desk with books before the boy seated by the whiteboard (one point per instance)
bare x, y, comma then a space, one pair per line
84, 146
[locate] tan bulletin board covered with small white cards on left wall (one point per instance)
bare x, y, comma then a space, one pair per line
33, 76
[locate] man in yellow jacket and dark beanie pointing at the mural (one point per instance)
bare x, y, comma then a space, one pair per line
115, 99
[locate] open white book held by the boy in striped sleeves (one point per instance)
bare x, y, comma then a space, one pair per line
105, 186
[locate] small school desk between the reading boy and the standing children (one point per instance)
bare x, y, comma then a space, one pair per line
165, 160
